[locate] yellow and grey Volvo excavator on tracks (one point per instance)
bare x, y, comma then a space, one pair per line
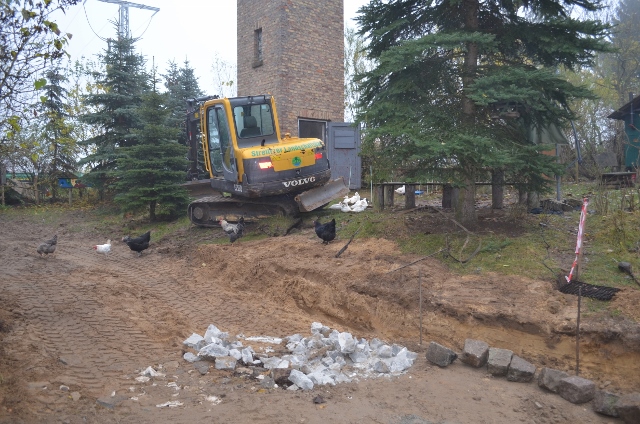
241, 166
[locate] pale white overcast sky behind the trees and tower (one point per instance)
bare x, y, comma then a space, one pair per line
180, 30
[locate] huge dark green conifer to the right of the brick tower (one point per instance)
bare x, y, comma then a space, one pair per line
461, 87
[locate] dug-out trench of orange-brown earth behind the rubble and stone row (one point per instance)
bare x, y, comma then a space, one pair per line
357, 293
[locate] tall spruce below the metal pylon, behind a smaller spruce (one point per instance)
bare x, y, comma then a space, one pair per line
123, 80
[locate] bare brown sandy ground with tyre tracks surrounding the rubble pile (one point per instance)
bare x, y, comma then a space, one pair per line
77, 328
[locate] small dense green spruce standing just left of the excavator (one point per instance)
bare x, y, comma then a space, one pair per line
150, 172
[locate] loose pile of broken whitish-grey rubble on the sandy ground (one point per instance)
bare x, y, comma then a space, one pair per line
326, 357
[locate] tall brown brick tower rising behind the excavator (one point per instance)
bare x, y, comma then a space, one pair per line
294, 50
